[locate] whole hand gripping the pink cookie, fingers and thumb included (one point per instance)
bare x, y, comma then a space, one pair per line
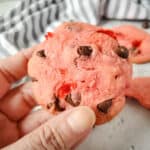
22, 129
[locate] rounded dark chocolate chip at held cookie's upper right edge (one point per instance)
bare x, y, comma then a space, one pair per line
122, 52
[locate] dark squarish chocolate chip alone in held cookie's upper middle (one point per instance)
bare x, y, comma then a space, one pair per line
85, 50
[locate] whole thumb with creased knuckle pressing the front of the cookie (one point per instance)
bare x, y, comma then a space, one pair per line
60, 133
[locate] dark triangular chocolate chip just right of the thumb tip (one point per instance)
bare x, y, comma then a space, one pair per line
104, 106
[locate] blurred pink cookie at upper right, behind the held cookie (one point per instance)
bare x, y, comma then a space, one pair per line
136, 40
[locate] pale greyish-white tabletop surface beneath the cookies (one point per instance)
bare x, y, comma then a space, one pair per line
130, 130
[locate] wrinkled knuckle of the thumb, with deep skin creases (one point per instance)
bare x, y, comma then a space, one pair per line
52, 139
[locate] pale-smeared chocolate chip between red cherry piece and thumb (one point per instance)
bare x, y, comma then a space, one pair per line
73, 102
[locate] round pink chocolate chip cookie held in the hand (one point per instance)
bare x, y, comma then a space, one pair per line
81, 64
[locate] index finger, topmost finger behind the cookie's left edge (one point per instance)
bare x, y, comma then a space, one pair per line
14, 68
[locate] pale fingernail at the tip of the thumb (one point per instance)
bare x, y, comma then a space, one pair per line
81, 119
